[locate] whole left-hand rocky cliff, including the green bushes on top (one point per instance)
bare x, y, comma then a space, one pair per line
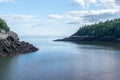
10, 44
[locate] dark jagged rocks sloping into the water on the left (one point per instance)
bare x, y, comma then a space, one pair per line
11, 46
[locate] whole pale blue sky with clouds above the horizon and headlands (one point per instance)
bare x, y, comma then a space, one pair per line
56, 17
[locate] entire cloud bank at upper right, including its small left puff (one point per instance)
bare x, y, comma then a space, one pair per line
101, 10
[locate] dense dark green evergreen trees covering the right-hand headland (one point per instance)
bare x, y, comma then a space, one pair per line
108, 28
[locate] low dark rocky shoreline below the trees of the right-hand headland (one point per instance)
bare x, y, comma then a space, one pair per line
91, 38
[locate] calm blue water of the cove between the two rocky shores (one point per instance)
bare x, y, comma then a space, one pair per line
63, 61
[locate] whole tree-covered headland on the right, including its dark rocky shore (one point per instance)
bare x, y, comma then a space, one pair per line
108, 31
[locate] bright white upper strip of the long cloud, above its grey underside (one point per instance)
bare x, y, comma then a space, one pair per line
79, 14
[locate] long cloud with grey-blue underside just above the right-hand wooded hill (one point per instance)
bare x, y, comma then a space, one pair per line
89, 16
